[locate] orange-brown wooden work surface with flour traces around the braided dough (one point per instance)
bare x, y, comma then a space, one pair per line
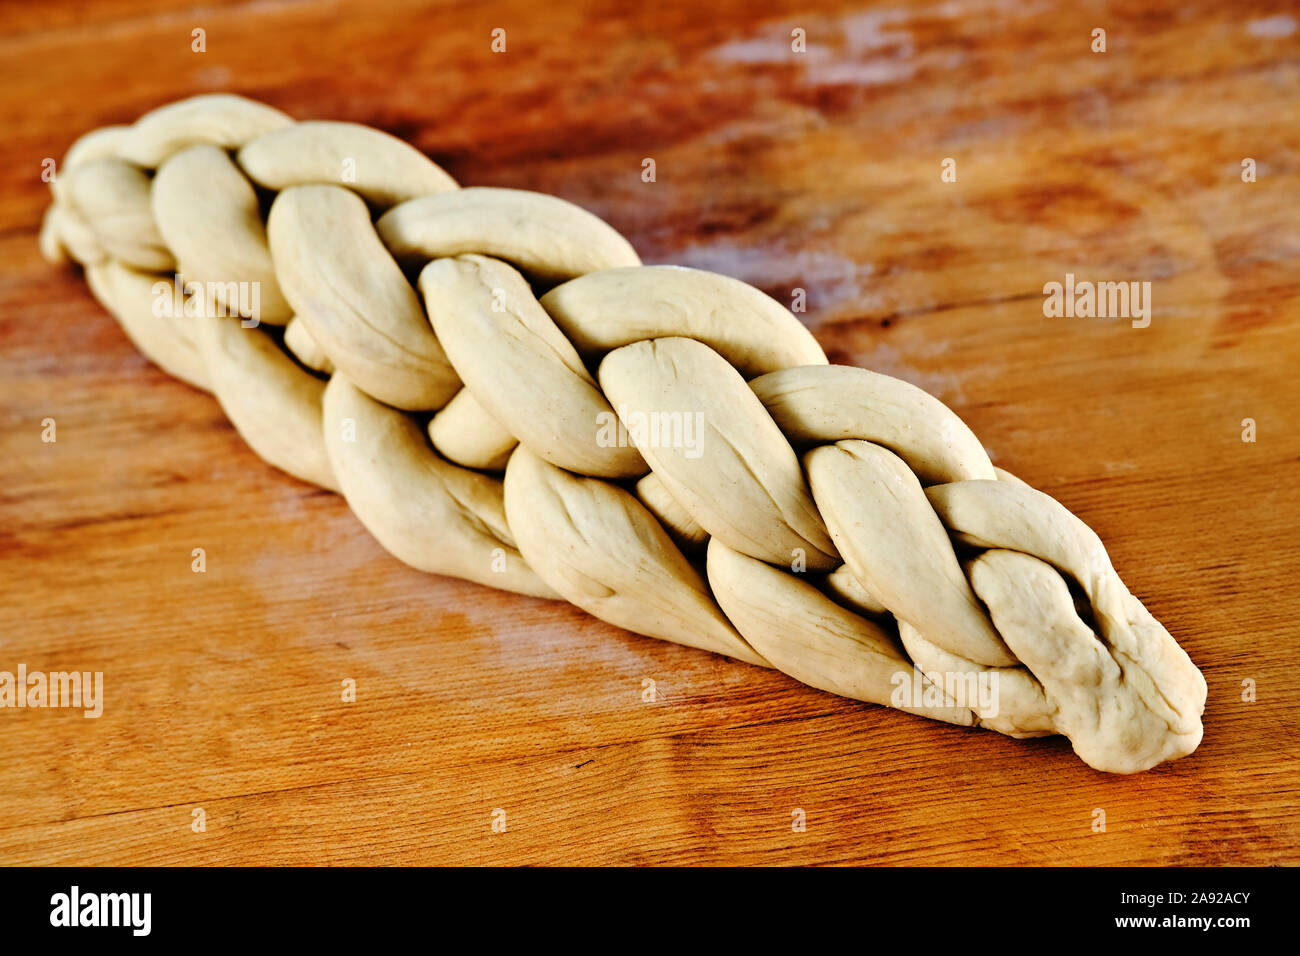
817, 171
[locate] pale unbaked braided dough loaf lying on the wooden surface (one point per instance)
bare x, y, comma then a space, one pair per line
838, 525
